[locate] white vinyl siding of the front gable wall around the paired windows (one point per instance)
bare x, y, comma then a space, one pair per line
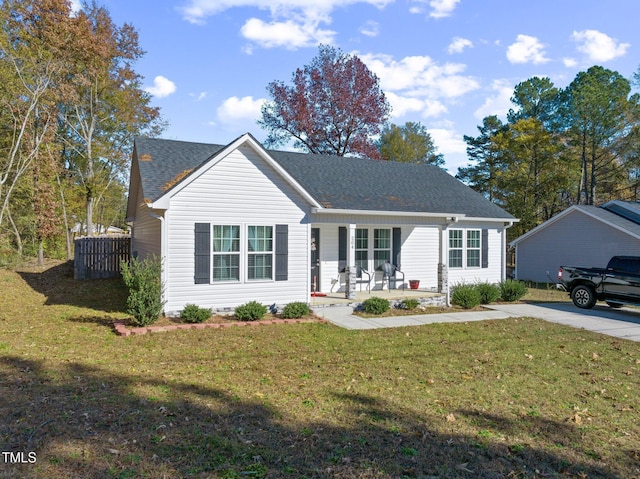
240, 189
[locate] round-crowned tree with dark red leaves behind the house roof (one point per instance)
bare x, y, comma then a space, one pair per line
335, 106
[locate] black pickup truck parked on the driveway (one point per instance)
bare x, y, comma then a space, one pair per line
617, 284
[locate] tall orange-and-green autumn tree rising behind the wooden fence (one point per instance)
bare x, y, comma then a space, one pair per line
108, 106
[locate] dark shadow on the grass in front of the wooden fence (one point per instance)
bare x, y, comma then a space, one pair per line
59, 287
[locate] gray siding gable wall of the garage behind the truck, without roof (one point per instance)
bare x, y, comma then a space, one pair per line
576, 239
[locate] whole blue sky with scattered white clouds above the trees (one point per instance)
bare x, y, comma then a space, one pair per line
444, 63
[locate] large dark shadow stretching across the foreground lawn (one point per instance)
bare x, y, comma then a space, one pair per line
85, 422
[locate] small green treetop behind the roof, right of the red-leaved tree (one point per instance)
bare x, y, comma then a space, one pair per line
410, 143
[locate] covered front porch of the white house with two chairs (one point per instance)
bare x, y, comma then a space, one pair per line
413, 251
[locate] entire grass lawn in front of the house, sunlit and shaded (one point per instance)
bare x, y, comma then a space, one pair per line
508, 398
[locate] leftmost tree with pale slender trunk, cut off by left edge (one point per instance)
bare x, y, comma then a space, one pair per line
31, 37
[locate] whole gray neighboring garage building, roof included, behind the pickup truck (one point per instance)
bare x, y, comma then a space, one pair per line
579, 236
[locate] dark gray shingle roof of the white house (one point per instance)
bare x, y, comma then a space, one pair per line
335, 182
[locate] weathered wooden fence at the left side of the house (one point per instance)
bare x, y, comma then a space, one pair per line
100, 256
